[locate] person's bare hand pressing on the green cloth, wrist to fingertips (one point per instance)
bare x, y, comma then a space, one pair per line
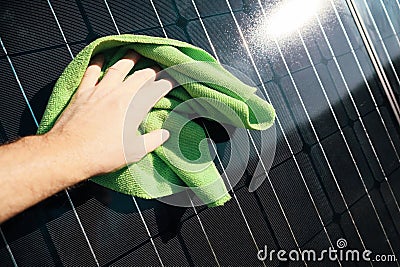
93, 123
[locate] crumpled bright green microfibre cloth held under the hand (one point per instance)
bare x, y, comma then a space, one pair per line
163, 172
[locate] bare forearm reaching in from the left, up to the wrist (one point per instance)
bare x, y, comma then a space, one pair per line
34, 168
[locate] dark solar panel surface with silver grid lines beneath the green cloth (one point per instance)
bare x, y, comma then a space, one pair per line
336, 171
